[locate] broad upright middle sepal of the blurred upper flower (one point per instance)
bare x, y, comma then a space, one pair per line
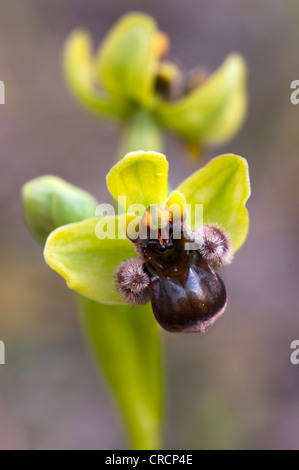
127, 59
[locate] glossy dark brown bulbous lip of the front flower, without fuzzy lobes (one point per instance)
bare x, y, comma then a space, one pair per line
185, 291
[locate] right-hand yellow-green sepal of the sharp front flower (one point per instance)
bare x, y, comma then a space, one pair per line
223, 187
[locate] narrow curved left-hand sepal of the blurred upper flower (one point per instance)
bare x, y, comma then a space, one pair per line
79, 71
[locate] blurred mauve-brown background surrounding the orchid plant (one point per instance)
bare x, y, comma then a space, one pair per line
234, 388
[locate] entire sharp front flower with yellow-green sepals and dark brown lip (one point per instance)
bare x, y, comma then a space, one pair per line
182, 284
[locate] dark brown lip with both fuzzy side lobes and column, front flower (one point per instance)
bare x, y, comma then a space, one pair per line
175, 270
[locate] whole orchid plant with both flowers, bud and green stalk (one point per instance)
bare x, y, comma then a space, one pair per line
126, 283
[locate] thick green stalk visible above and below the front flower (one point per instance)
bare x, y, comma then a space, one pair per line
125, 340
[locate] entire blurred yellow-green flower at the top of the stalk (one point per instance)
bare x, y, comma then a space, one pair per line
131, 78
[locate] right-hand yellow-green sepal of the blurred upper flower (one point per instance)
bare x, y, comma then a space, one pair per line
213, 112
